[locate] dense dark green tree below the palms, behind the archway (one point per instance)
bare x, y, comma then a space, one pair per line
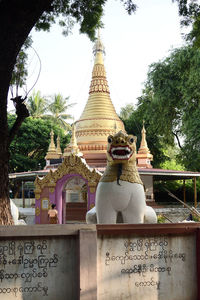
28, 149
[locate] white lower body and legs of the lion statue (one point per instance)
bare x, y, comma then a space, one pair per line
127, 198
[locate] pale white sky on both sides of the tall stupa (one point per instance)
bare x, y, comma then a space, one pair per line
131, 43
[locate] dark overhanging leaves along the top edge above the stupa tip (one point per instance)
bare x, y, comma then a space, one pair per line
86, 13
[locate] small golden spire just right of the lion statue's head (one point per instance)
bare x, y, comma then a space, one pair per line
144, 157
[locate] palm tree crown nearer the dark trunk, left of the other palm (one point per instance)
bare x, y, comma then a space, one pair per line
37, 105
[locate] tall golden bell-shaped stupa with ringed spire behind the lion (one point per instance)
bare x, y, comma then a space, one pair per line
99, 118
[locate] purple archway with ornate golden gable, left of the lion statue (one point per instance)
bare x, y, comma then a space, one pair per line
52, 188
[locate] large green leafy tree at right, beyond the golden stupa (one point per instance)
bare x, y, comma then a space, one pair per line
171, 103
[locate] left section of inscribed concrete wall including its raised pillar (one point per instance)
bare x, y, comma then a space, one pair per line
46, 262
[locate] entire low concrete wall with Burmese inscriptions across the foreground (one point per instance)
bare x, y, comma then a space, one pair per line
104, 262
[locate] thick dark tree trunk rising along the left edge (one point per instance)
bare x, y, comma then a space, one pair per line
17, 18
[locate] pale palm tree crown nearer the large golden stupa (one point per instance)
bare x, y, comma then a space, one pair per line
58, 109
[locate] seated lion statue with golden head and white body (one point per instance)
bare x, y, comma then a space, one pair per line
120, 193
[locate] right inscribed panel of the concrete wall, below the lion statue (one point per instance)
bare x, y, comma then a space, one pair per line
148, 268
